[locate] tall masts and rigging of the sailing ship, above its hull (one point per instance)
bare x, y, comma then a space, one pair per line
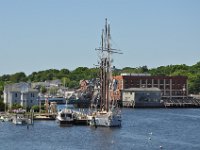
105, 67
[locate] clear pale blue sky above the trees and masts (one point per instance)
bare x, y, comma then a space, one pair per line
38, 35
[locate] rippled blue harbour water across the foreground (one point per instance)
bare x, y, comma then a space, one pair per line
142, 129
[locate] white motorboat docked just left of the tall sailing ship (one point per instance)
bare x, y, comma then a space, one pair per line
65, 117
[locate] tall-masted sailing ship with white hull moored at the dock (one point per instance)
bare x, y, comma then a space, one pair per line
109, 114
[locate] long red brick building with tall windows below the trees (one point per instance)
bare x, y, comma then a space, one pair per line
170, 86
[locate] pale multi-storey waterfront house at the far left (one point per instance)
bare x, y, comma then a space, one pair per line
20, 93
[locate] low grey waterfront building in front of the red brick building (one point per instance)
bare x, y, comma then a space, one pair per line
141, 97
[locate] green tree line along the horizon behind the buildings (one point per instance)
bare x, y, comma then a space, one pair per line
71, 79
